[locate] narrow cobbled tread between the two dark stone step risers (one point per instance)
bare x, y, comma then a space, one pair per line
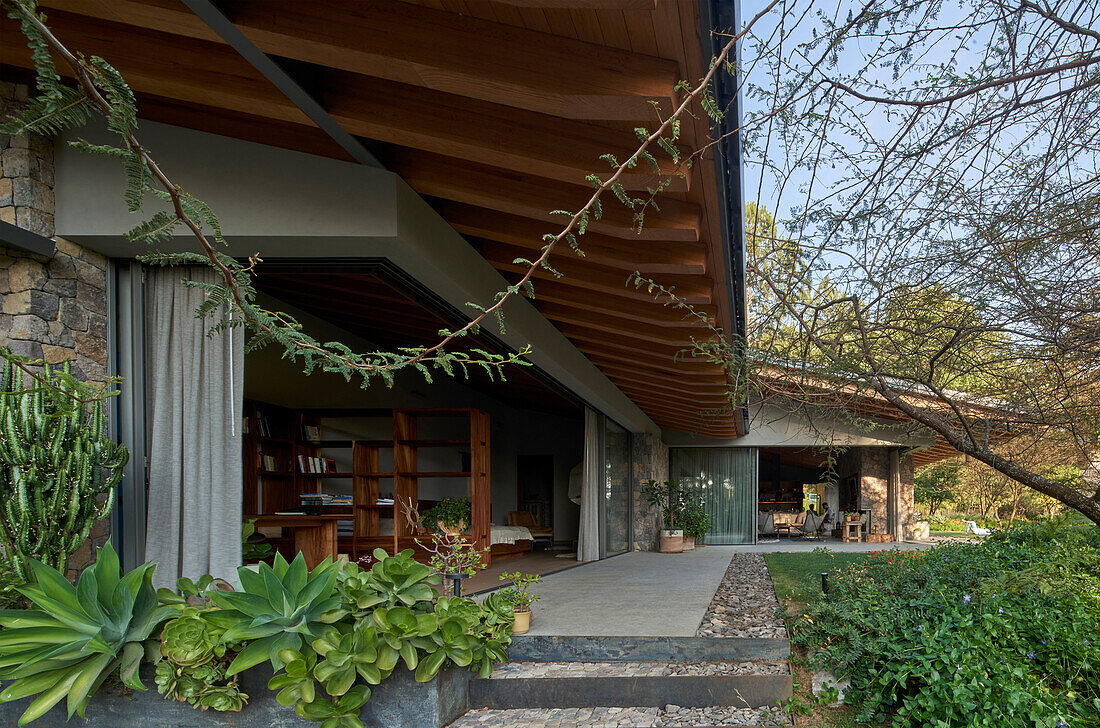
635, 669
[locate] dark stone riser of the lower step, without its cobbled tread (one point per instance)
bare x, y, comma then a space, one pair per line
687, 691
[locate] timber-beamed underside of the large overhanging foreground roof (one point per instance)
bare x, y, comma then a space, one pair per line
494, 111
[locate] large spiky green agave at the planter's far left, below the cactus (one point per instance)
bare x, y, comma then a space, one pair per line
76, 637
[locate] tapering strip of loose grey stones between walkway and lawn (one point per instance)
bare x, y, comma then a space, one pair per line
745, 603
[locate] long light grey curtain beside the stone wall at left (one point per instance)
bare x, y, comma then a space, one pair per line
196, 394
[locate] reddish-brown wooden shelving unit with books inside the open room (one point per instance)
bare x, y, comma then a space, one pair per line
268, 492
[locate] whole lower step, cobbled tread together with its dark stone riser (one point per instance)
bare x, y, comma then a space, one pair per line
632, 686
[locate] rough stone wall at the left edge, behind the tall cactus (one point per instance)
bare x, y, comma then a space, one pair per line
54, 310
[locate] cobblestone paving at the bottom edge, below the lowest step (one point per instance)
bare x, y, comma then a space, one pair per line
621, 718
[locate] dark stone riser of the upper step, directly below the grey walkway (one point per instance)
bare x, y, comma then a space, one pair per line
547, 648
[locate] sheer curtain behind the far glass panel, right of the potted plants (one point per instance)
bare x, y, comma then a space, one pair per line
727, 478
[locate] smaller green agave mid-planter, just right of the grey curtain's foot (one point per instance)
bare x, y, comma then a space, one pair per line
279, 609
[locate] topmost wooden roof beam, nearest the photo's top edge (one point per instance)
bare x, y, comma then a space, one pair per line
437, 50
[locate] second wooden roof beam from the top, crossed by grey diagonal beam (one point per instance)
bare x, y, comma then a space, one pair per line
382, 111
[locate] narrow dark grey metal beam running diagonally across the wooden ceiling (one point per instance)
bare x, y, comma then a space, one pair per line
232, 35
